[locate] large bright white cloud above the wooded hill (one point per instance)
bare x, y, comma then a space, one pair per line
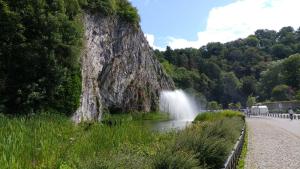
242, 18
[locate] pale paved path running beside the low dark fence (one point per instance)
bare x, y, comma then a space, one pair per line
273, 143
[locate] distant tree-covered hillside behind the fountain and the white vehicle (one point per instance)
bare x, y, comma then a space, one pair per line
231, 72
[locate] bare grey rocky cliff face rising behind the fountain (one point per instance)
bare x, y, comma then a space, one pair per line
119, 69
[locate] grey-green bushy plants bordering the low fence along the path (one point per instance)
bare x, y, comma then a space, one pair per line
205, 144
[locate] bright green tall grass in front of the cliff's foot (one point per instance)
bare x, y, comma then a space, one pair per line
50, 141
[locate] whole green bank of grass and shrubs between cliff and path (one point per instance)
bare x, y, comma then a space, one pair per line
53, 141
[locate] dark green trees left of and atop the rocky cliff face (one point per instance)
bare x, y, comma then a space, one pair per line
40, 45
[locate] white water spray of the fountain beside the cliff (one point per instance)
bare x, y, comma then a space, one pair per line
178, 104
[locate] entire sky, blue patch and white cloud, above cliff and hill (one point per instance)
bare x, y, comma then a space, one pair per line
193, 23
